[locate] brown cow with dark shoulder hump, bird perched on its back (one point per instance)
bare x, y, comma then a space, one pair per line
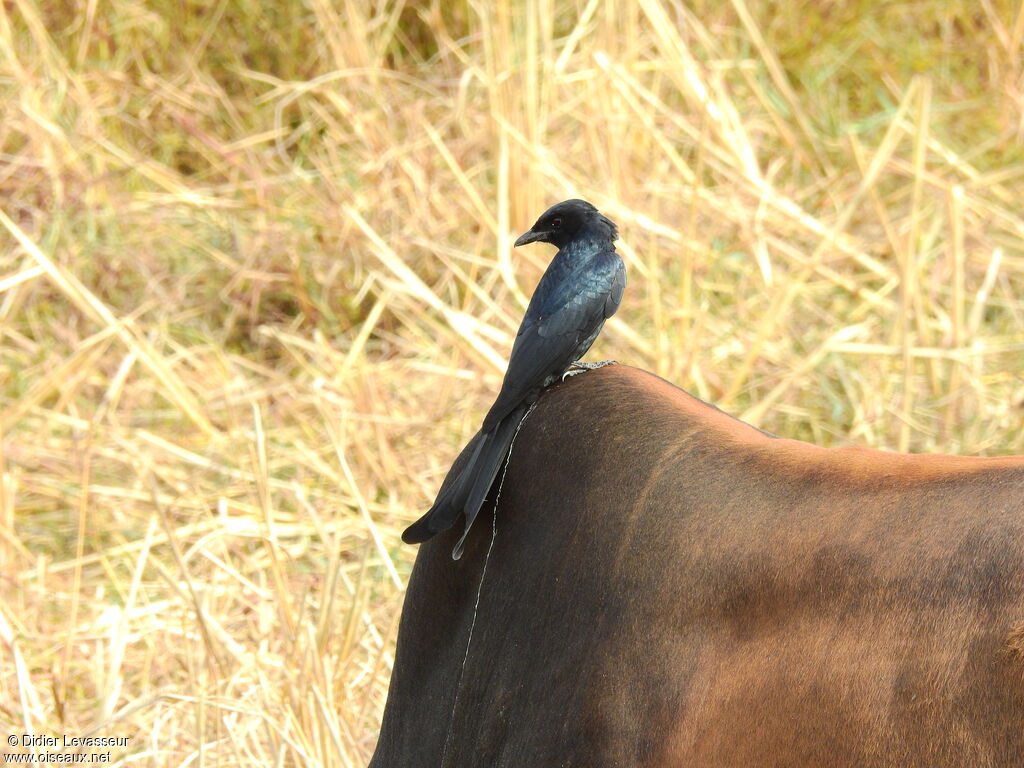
668, 586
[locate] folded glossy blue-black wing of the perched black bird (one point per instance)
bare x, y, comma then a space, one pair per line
549, 342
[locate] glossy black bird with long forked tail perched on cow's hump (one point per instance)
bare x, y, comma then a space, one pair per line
580, 290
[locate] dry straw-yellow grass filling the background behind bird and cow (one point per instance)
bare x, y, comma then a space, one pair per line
258, 288
